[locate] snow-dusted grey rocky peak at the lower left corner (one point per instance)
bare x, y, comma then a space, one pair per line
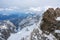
6, 27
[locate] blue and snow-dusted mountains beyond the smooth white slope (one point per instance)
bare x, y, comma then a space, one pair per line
16, 21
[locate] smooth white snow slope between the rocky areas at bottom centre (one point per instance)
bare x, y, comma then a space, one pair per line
23, 34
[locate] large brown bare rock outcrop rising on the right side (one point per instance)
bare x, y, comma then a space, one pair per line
49, 22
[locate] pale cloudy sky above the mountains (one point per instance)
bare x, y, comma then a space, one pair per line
25, 4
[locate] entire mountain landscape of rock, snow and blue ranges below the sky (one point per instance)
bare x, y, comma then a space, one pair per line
39, 25
